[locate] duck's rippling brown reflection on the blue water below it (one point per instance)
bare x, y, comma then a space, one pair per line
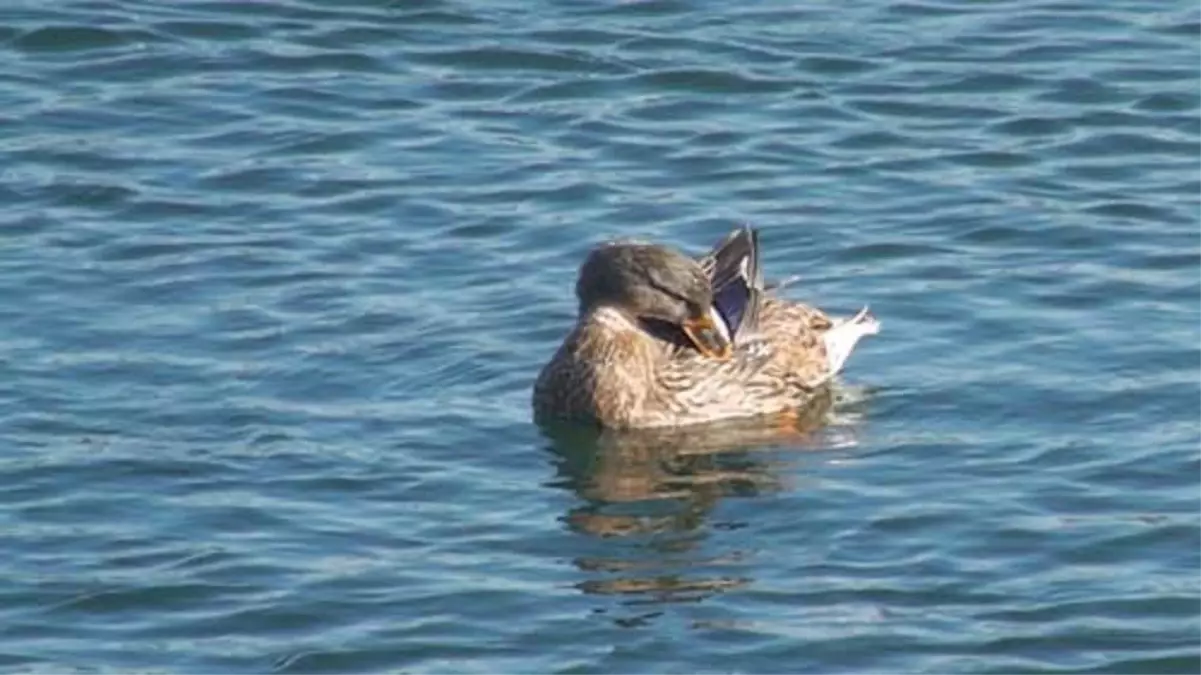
647, 501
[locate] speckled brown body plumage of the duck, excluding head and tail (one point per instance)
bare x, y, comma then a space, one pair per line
616, 372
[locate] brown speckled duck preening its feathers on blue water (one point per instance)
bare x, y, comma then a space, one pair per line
665, 341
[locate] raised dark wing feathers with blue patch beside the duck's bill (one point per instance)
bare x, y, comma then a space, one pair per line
733, 270
